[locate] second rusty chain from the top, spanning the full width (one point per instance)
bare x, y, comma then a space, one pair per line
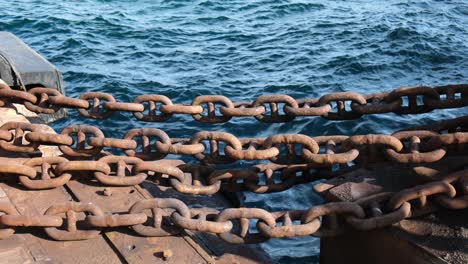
221, 147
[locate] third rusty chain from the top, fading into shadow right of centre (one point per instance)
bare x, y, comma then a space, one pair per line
51, 172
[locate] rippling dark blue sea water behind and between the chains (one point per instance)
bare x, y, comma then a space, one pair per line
243, 49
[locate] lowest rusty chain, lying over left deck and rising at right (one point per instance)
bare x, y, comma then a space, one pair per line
169, 216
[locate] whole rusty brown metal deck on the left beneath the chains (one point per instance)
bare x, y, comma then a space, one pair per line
31, 245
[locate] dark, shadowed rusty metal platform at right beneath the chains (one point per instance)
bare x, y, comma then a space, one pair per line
435, 236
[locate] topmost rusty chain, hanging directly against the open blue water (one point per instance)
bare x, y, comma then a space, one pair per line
266, 108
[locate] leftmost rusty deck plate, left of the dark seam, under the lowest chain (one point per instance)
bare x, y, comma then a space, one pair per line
29, 245
